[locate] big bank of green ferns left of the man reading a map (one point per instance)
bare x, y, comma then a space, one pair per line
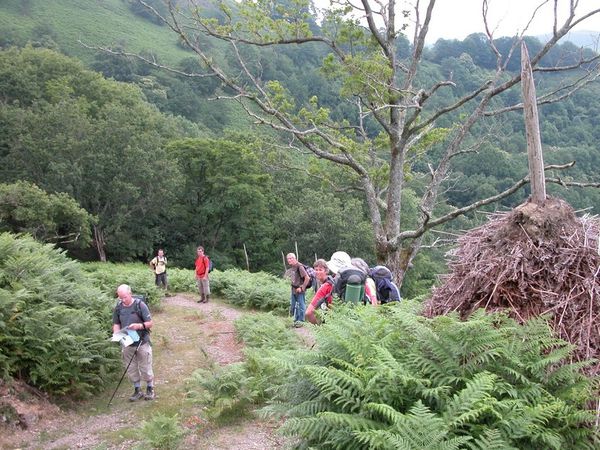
54, 324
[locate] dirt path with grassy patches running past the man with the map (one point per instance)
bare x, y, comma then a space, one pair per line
186, 335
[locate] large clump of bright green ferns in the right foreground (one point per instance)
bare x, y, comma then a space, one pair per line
388, 378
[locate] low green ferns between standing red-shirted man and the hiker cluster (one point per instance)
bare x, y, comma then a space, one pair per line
252, 290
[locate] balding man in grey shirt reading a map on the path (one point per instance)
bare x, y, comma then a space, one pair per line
133, 315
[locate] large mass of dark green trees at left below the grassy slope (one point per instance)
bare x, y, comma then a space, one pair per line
67, 129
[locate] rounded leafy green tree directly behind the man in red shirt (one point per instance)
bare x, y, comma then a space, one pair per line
226, 201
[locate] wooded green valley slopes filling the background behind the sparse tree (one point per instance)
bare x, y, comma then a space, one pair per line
111, 157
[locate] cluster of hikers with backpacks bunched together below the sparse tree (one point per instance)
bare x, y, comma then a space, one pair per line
351, 281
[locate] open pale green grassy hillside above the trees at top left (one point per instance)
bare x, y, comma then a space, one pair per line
95, 22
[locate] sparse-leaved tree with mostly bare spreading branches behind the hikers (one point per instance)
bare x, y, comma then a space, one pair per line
362, 38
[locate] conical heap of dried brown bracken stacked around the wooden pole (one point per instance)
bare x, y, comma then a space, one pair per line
537, 259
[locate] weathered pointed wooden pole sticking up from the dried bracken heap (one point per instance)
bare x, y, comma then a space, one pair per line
532, 130
